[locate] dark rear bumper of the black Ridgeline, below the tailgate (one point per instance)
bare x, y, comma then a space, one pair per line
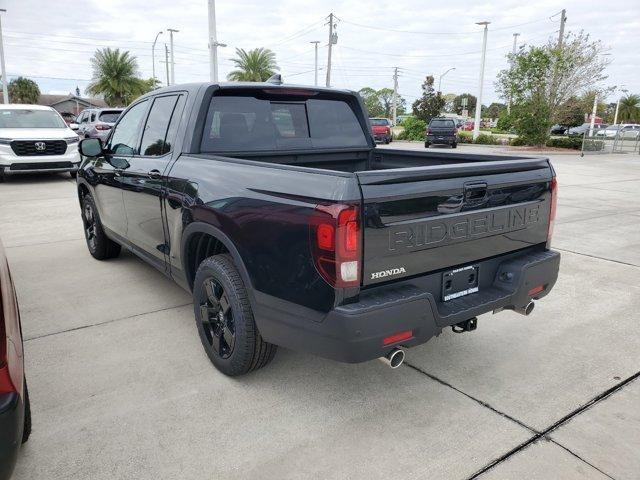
355, 332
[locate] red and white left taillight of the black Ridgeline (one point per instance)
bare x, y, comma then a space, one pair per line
336, 244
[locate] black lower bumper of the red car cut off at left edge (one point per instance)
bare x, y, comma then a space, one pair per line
11, 425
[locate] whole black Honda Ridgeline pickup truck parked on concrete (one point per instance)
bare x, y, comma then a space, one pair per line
272, 204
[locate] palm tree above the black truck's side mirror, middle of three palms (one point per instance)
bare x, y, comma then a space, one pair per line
115, 77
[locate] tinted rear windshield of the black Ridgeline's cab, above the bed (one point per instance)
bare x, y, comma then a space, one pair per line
243, 123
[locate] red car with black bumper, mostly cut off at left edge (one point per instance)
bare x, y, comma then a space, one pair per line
15, 412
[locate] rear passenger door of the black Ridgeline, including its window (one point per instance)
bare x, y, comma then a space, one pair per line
144, 180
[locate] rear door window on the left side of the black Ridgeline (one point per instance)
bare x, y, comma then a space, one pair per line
161, 126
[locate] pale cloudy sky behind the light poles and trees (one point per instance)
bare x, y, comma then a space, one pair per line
52, 41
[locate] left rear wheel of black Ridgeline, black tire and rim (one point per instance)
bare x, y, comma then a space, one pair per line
224, 318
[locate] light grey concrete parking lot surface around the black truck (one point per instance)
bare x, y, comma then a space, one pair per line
121, 388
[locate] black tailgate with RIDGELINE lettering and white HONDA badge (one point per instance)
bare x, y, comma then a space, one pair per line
418, 220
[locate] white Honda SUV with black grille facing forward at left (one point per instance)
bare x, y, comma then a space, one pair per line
35, 139
